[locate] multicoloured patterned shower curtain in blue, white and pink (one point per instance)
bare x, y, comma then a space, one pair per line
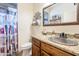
8, 32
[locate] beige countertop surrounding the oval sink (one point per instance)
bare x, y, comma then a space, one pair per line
71, 49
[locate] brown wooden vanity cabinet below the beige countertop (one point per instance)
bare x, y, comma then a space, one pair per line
40, 48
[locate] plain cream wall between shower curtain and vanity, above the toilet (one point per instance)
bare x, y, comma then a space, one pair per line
25, 16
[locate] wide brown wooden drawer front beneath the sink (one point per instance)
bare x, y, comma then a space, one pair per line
53, 51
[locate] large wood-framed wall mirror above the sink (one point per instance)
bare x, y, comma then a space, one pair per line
61, 14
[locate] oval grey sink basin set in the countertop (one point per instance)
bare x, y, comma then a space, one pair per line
63, 41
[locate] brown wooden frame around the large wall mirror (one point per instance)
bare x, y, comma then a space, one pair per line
71, 23
